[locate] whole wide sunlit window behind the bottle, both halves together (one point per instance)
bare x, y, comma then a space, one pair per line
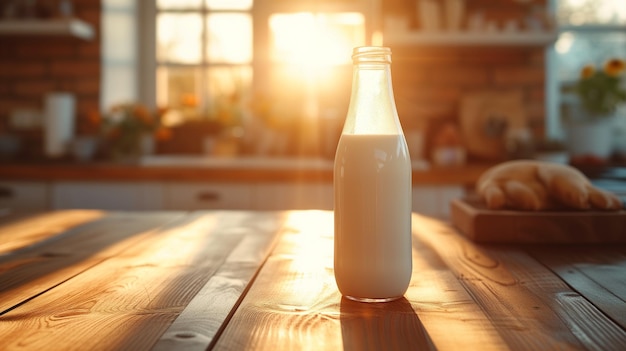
199, 55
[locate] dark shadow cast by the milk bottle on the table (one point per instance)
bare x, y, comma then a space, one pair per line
382, 326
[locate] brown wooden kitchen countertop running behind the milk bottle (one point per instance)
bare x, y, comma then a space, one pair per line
166, 168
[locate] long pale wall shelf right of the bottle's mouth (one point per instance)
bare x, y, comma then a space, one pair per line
470, 38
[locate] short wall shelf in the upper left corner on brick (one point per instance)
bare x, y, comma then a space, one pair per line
69, 27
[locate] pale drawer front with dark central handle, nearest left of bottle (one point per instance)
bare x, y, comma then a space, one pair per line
201, 196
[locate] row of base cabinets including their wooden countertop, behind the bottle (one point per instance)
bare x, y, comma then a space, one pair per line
253, 185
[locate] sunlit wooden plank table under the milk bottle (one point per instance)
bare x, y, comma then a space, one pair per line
244, 280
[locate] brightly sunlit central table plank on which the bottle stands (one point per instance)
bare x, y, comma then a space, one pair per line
294, 303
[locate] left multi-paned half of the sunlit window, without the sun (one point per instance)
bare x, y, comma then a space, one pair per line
203, 54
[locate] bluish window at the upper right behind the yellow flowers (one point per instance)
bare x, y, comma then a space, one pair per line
590, 32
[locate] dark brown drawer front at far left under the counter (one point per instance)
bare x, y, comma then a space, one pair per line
23, 196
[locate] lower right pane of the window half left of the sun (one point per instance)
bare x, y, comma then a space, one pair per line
226, 88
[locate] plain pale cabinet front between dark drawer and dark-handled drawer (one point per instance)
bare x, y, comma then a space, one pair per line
131, 196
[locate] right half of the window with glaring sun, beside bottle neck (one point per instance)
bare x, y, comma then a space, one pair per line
310, 58
